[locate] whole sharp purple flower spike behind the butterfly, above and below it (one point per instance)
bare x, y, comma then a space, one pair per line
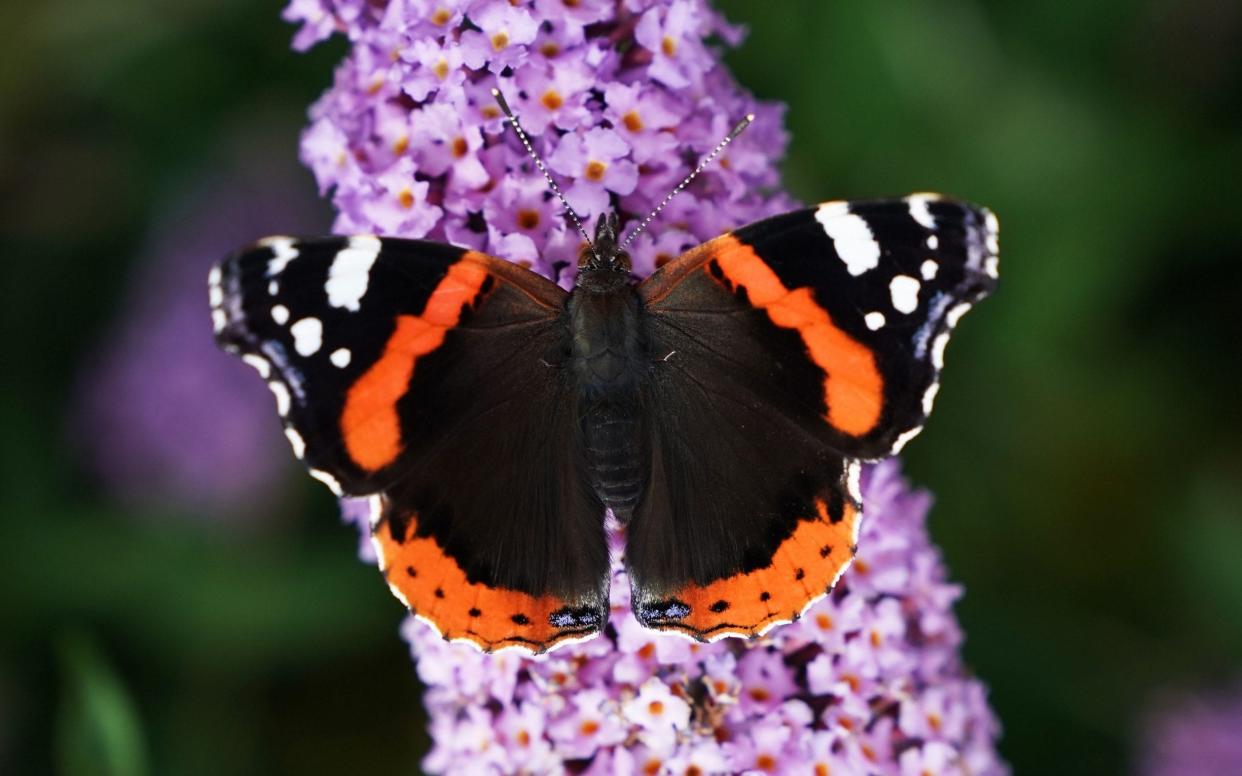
623, 99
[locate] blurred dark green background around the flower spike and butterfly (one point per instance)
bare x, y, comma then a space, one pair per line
1085, 453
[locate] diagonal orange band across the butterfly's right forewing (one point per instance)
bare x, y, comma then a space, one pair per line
854, 389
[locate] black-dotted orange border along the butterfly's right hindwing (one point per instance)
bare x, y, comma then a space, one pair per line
805, 568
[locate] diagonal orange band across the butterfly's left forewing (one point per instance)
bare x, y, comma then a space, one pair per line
369, 423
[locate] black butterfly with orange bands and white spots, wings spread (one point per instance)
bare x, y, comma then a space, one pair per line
718, 408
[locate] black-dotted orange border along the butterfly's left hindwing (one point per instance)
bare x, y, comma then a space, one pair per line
435, 588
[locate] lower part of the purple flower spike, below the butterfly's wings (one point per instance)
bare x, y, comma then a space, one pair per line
868, 682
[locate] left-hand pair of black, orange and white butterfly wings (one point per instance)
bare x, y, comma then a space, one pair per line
424, 377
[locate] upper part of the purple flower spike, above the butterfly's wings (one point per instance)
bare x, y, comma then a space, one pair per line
622, 97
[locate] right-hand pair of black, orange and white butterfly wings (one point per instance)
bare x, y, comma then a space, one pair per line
783, 353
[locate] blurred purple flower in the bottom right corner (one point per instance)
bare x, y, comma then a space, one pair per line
1195, 737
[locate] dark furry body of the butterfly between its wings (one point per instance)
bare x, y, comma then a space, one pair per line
609, 363
